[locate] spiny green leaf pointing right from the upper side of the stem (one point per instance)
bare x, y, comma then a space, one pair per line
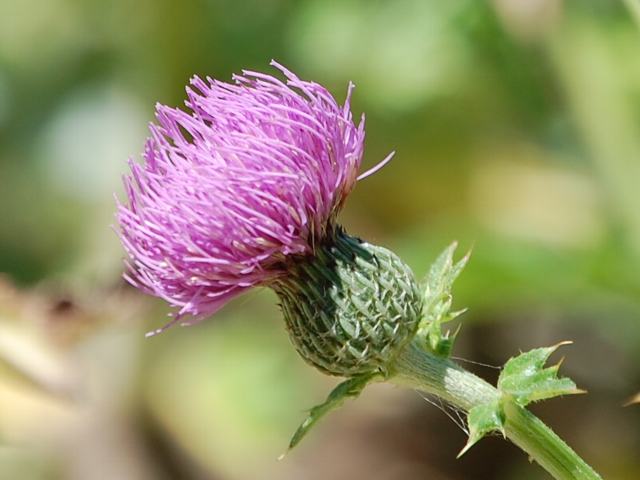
526, 380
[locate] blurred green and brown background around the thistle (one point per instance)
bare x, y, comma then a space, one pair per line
517, 130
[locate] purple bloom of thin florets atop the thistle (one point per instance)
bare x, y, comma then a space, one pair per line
255, 171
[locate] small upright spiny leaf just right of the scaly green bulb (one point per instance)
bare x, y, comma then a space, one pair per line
437, 301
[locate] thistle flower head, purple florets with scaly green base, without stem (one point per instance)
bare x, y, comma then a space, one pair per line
243, 190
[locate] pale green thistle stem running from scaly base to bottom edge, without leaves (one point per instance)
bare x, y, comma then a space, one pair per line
417, 368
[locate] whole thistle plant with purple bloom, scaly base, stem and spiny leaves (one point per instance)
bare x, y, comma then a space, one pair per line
244, 189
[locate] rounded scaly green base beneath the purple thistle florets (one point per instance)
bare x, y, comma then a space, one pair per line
351, 307
